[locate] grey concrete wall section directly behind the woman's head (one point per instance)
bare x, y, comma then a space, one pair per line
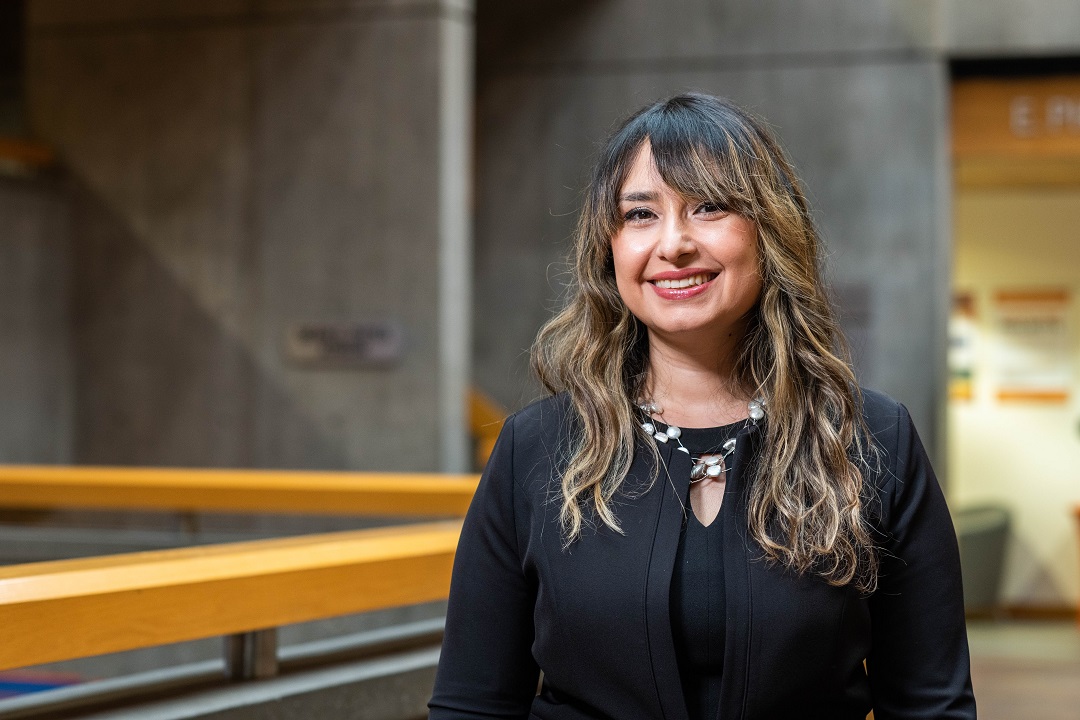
854, 89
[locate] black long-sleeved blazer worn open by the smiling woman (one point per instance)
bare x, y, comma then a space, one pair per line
595, 617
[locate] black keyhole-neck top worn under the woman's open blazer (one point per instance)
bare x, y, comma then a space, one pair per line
697, 603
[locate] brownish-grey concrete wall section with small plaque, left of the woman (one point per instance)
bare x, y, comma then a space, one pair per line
239, 168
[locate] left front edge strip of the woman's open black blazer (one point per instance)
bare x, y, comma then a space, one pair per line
670, 518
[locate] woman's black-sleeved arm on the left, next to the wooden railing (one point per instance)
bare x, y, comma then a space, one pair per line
487, 669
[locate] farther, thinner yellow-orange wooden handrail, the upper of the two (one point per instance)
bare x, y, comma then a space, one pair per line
236, 491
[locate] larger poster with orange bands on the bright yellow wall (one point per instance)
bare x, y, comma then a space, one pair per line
1033, 360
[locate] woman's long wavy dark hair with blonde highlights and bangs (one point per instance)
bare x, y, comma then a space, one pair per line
806, 507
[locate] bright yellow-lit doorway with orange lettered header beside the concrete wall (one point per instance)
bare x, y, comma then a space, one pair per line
1015, 347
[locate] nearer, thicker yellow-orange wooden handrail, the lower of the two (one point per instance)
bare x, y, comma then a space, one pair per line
66, 609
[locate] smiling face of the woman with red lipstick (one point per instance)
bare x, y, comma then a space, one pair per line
687, 270
